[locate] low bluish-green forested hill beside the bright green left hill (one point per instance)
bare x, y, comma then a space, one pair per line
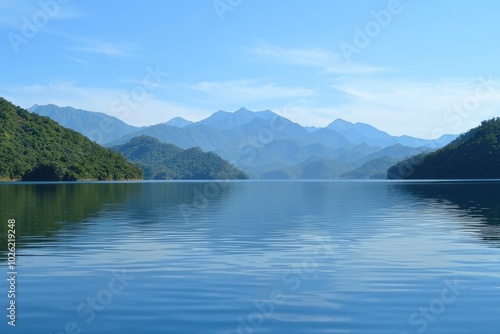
161, 161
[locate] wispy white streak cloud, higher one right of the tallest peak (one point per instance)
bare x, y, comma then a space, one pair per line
320, 58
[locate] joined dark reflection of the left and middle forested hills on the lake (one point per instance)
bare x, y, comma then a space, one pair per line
42, 209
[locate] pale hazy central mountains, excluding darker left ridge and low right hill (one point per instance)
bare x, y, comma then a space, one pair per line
264, 142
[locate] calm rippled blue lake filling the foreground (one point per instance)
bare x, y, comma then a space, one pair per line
253, 257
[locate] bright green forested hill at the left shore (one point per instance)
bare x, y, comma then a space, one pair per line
35, 148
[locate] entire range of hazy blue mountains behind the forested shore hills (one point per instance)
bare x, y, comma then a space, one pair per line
263, 144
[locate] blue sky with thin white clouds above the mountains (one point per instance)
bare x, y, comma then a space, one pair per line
416, 67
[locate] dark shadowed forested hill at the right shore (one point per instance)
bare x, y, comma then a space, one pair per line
473, 155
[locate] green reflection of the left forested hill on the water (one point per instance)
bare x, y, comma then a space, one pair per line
41, 209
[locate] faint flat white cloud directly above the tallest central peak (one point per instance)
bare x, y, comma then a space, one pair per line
249, 90
